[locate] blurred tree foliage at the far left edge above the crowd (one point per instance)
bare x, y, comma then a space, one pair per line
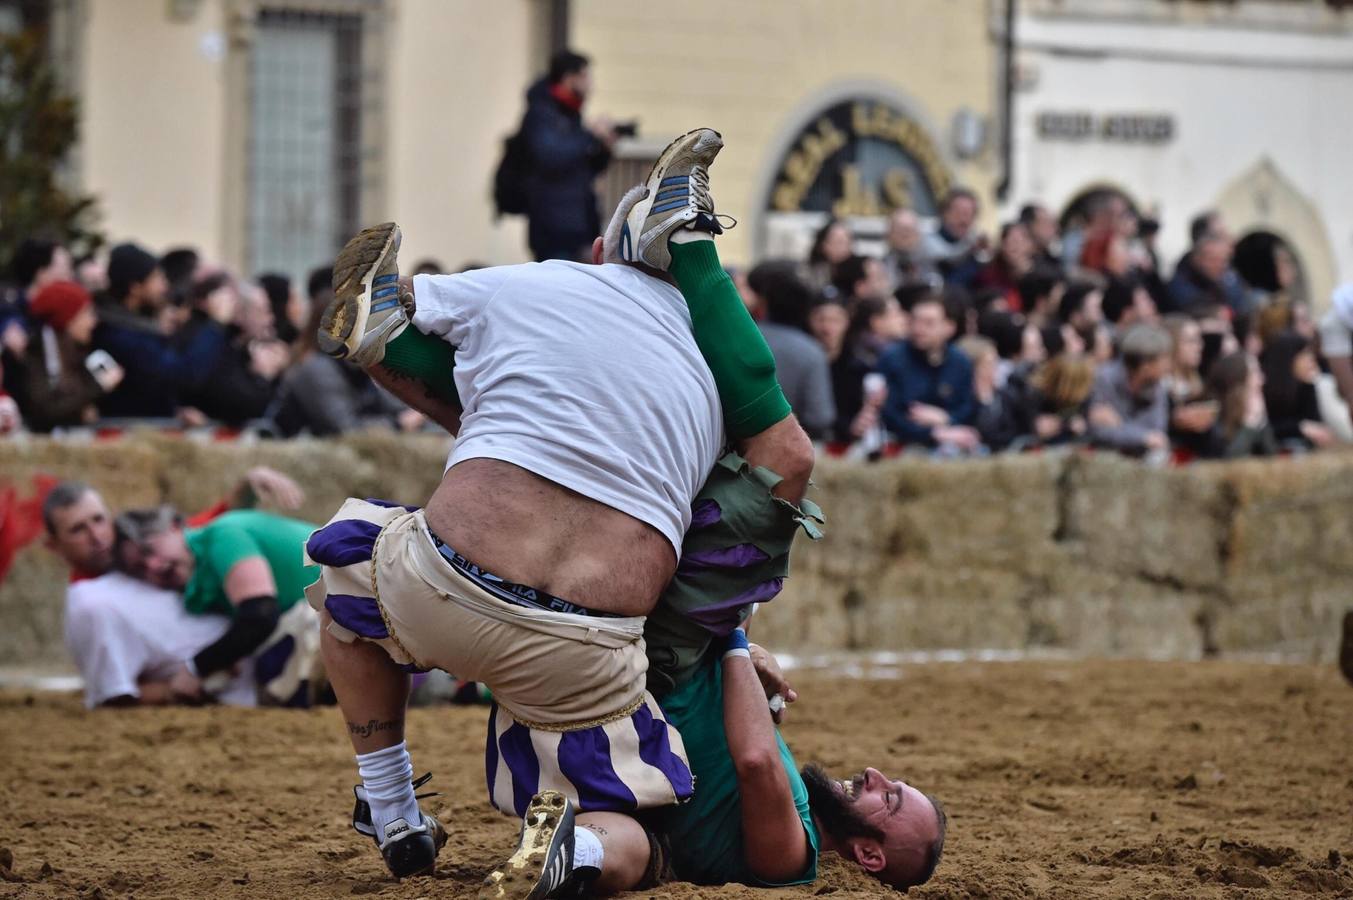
39, 127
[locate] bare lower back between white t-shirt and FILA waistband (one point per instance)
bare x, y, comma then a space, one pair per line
535, 533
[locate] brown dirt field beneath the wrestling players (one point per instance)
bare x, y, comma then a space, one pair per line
1063, 780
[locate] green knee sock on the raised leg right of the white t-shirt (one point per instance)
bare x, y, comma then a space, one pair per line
729, 339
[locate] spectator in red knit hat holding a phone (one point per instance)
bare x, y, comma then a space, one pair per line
62, 381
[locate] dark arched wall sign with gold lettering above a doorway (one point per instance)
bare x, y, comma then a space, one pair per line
861, 158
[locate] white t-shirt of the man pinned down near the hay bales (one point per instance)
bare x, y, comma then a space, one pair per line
120, 630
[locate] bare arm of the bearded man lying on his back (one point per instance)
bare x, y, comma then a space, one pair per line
775, 842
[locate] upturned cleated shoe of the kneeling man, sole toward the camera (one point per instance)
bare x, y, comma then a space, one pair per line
543, 865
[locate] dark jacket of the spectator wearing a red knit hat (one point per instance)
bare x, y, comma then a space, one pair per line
53, 399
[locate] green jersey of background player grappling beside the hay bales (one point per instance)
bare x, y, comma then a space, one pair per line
228, 539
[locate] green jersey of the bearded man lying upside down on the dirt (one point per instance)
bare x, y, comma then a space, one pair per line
706, 834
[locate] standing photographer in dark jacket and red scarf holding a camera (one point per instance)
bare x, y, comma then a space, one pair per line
566, 156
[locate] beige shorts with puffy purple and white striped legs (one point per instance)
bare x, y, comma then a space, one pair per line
573, 714
